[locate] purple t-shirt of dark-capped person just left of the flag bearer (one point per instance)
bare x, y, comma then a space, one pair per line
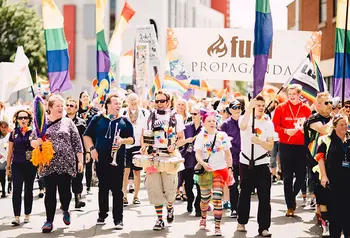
231, 127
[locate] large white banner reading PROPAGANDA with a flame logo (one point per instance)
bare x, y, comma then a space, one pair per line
227, 54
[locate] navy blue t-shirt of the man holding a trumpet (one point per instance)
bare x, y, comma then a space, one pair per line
101, 130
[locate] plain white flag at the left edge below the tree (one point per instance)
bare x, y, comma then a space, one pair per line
14, 76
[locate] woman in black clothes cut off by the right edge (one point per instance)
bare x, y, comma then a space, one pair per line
333, 156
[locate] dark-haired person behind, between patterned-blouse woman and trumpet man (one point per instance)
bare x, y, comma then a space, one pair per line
86, 111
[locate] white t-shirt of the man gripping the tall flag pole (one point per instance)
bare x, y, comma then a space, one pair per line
264, 129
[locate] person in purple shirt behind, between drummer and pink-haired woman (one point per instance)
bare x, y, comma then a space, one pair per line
192, 130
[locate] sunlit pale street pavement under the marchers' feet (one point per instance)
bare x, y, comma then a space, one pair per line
139, 220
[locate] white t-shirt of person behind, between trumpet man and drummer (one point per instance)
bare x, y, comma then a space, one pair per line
141, 123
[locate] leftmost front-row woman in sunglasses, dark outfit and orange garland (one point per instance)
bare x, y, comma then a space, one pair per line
19, 165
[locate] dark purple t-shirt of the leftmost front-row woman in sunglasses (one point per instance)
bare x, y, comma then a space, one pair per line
21, 144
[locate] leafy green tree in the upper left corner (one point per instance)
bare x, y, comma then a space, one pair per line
21, 26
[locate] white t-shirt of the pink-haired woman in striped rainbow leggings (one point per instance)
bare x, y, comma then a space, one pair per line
204, 143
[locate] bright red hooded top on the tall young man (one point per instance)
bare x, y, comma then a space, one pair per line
285, 119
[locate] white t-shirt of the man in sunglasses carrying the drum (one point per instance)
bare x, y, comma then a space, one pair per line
160, 139
